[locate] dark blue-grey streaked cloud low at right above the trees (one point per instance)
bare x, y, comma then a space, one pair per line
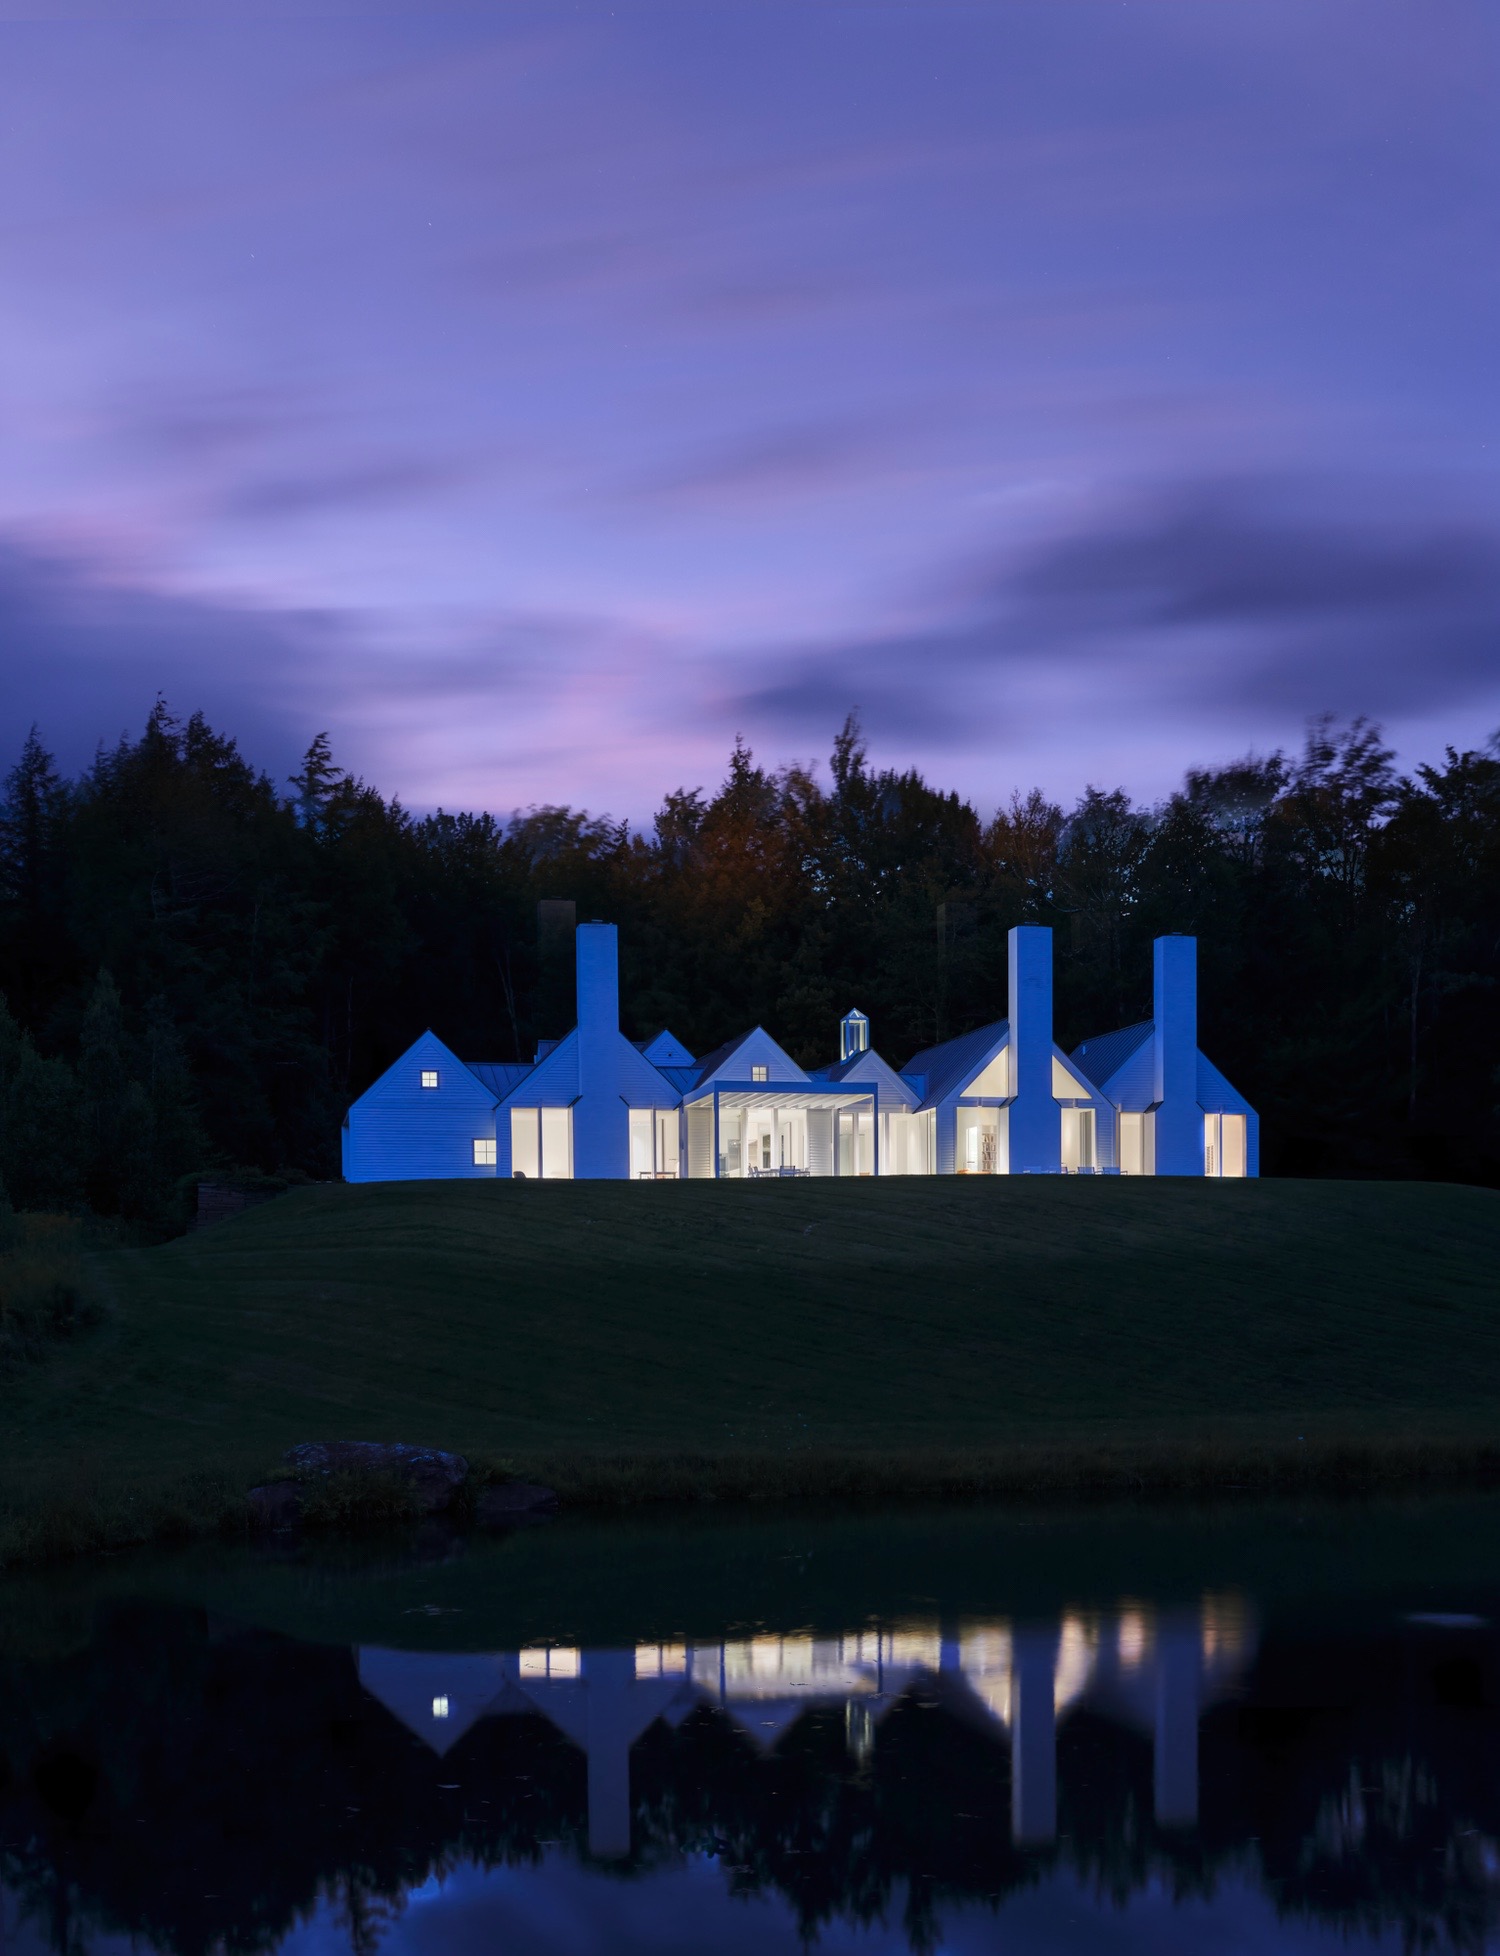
1194, 601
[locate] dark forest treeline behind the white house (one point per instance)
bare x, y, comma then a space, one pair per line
202, 967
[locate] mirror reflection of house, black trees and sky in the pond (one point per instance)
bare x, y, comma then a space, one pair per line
189, 1785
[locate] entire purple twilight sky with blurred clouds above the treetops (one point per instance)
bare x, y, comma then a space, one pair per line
537, 396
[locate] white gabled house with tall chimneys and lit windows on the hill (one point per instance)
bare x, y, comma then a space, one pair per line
1000, 1100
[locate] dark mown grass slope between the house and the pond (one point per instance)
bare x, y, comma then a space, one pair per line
779, 1341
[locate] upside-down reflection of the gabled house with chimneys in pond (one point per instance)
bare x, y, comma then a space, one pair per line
1014, 1683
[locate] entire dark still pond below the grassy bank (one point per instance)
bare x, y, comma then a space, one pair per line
1239, 1728
